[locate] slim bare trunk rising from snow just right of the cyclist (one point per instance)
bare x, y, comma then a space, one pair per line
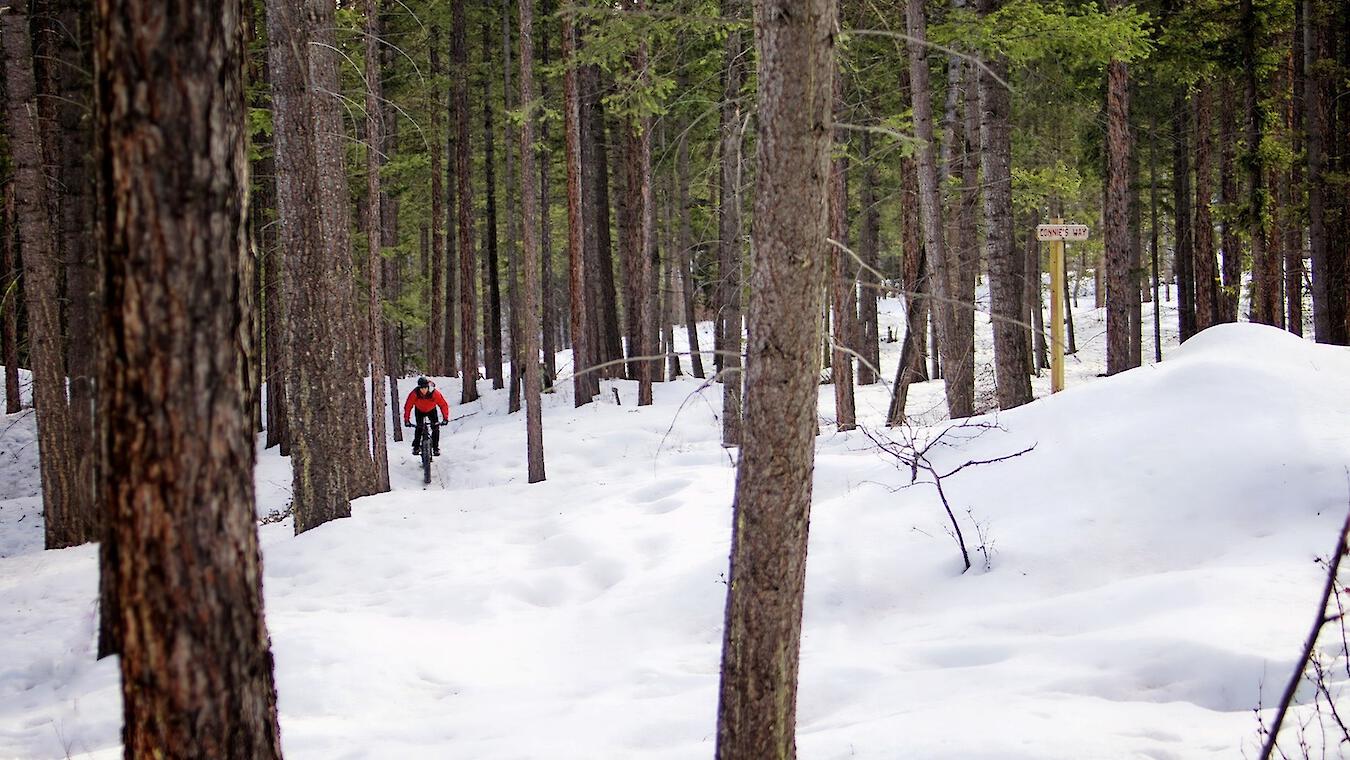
529, 354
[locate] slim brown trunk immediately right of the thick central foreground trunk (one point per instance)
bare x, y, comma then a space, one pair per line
844, 279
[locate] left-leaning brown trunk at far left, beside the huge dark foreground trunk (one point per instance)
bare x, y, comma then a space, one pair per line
65, 526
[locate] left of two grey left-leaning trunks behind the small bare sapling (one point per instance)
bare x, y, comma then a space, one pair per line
961, 404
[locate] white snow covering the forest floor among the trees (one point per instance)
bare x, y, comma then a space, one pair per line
1150, 584
